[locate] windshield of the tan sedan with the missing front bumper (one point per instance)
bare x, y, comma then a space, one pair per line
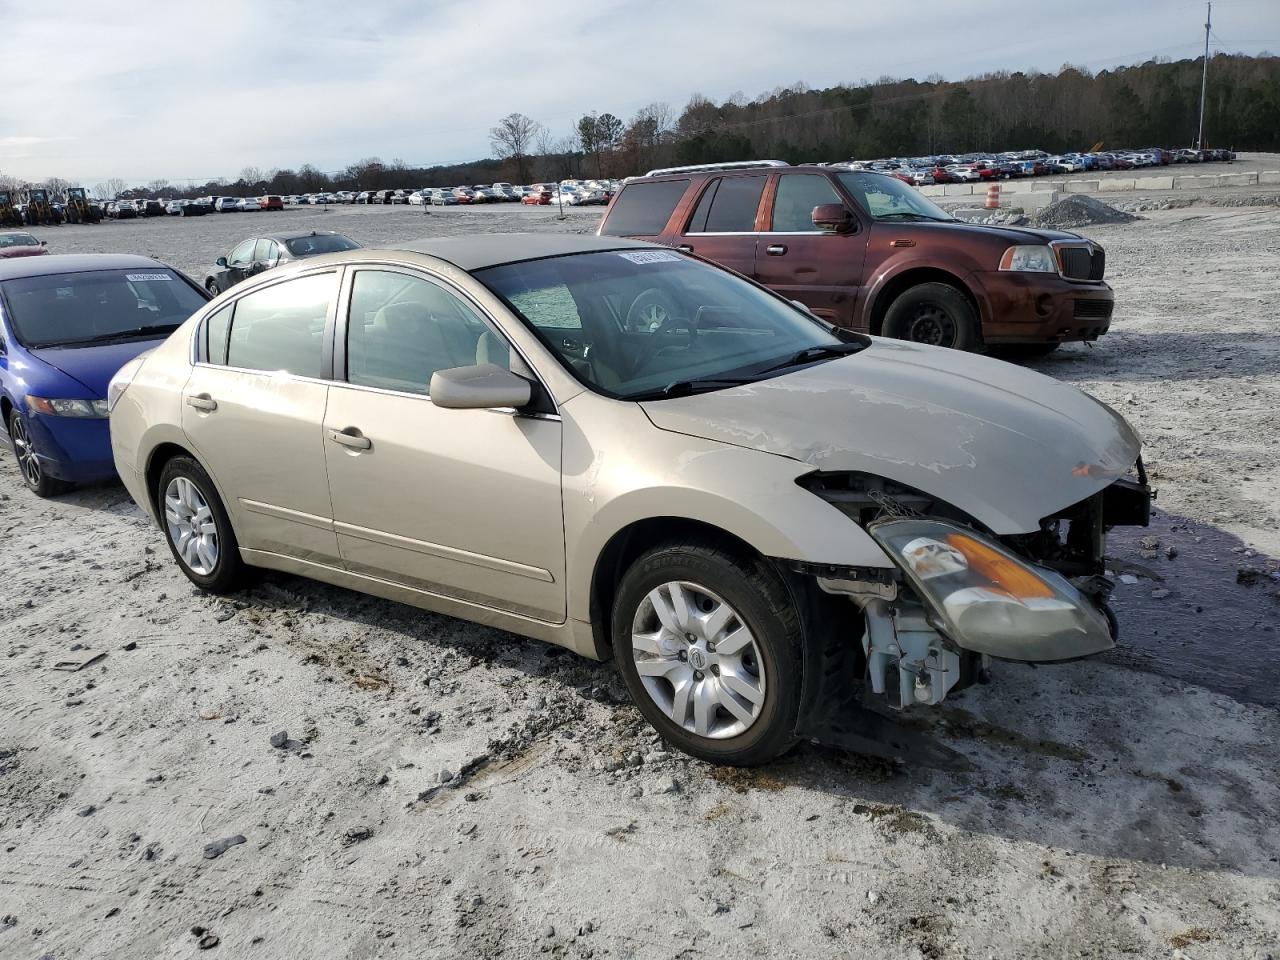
638, 324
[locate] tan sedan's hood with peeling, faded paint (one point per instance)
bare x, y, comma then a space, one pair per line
1002, 444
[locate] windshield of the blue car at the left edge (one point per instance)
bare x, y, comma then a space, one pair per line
99, 307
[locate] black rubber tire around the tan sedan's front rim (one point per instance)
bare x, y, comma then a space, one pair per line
764, 605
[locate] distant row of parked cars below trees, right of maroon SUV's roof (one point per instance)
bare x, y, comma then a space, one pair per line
947, 168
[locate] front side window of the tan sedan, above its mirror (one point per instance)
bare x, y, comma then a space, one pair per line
403, 330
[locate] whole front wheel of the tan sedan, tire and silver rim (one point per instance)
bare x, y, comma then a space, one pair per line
710, 647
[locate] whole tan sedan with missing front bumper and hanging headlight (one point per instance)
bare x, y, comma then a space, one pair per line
775, 528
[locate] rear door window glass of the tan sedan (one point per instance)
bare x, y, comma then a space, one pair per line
281, 328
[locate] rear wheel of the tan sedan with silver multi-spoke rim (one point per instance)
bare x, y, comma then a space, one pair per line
198, 528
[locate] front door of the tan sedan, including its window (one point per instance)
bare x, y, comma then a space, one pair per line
463, 504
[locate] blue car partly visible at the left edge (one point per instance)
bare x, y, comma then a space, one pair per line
67, 324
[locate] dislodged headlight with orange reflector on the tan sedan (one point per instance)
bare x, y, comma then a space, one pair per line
988, 600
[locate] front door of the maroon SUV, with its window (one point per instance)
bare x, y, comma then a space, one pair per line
820, 269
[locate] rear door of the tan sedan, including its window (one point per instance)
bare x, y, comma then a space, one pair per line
254, 408
